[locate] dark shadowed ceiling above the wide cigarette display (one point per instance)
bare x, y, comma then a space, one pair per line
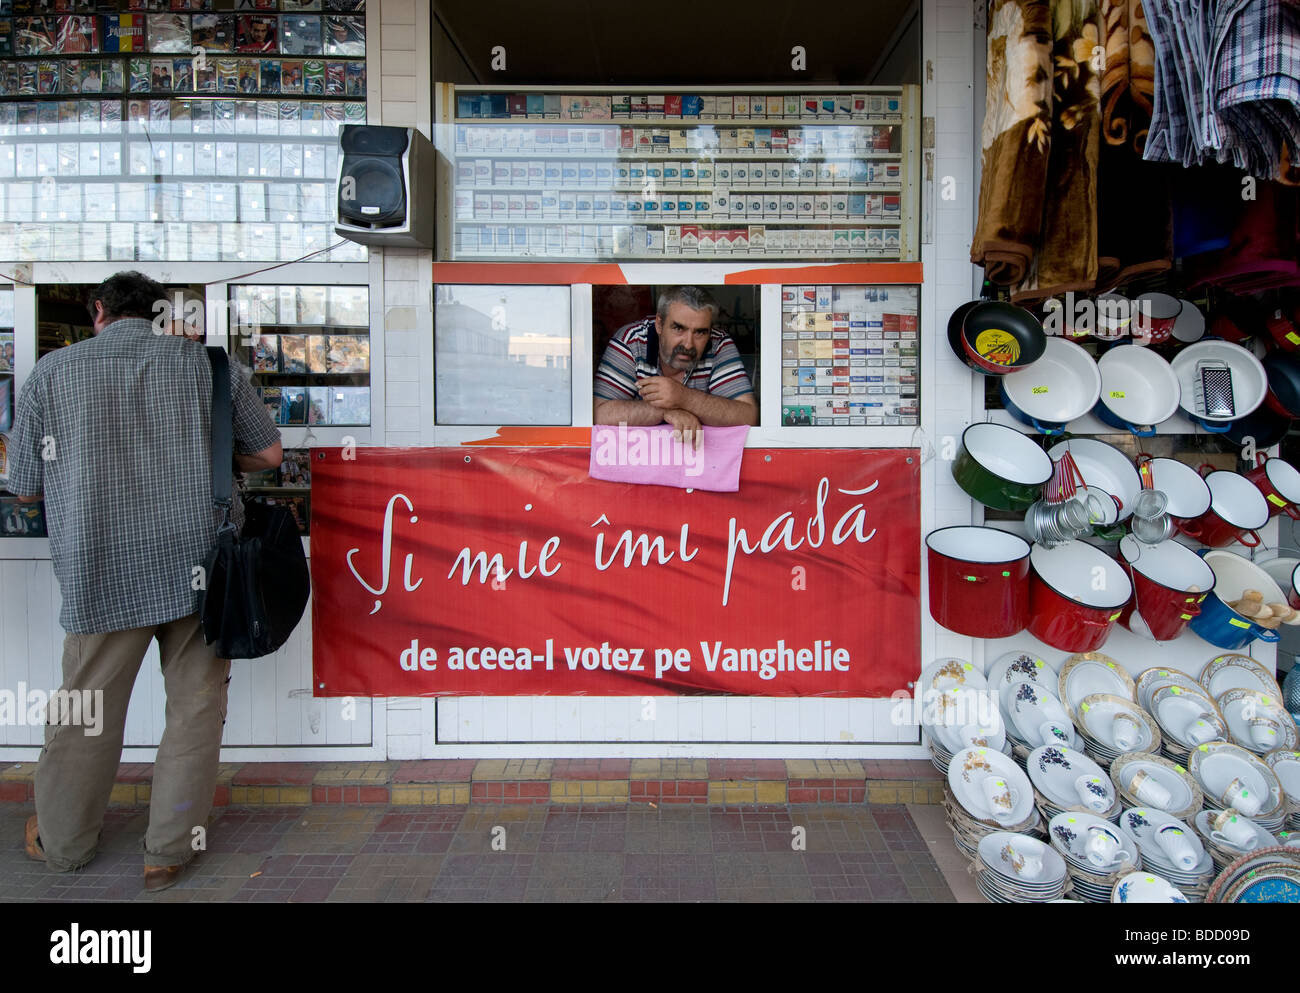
674, 42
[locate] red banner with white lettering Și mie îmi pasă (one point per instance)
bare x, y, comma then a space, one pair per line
510, 571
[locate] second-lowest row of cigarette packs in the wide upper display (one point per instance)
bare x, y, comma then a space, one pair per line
718, 205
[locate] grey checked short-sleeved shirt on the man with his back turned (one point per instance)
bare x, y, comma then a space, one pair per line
116, 433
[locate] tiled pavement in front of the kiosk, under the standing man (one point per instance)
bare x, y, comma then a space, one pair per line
352, 853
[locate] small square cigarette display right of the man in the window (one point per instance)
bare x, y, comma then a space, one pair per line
850, 357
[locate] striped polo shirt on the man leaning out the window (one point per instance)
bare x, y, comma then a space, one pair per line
634, 355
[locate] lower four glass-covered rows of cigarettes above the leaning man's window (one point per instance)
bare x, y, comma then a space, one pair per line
704, 190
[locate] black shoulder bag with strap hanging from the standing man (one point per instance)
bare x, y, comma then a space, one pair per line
257, 583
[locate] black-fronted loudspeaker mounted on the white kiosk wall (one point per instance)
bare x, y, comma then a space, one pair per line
385, 187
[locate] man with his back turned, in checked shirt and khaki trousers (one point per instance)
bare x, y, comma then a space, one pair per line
115, 433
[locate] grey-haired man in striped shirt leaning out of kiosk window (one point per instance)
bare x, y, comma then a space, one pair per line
675, 368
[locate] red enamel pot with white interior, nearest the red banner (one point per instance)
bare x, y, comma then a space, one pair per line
980, 582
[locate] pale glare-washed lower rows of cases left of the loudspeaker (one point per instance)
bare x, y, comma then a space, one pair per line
176, 180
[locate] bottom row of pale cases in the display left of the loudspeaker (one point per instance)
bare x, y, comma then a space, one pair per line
175, 242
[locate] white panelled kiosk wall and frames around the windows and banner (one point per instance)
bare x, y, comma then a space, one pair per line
274, 716
